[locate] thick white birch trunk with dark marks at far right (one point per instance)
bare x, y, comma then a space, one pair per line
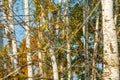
110, 54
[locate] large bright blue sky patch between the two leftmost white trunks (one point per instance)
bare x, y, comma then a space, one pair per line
18, 10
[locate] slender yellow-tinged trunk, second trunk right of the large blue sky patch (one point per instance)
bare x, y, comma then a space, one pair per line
40, 21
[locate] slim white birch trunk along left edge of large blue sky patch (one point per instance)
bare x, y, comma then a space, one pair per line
13, 36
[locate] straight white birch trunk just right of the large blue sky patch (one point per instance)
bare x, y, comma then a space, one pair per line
29, 55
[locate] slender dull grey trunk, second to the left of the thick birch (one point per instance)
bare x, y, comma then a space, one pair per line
85, 34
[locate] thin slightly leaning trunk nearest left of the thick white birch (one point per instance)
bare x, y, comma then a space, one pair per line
95, 50
